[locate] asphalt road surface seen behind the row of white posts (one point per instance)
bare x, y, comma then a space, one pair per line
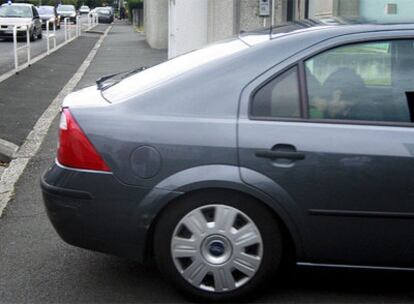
37, 47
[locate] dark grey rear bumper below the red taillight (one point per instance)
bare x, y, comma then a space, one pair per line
95, 211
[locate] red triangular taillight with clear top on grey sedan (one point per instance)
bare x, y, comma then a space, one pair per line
75, 150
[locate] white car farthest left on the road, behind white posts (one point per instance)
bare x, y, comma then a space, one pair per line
20, 15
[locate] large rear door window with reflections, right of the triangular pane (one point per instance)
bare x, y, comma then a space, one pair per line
368, 81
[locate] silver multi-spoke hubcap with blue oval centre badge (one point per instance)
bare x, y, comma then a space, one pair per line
217, 248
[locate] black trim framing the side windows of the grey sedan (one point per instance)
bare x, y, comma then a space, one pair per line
303, 90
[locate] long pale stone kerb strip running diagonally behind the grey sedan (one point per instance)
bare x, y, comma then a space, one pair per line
35, 138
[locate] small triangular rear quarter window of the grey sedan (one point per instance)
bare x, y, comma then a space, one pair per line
279, 97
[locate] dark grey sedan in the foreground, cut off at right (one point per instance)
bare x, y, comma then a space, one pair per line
224, 165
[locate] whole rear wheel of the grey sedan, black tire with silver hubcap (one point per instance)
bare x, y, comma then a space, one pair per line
224, 270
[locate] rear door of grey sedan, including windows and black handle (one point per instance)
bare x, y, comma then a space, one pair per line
334, 135
